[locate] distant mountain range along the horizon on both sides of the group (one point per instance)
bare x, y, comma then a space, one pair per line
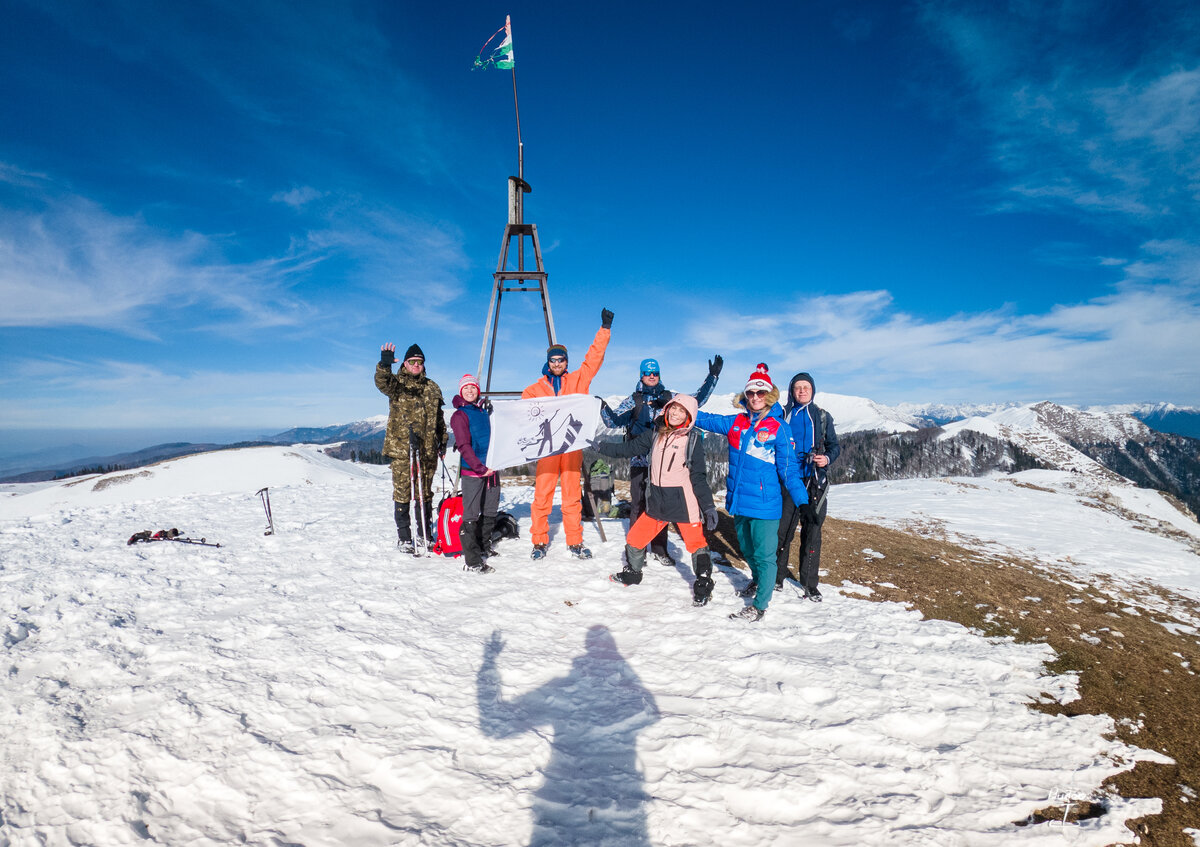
1154, 446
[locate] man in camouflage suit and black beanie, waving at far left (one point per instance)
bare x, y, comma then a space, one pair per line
415, 410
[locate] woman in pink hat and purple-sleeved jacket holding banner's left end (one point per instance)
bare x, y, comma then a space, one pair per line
481, 488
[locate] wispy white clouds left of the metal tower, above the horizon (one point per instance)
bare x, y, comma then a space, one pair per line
65, 261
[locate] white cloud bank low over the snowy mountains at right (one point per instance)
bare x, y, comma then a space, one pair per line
1137, 343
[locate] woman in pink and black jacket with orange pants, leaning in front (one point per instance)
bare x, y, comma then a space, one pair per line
677, 492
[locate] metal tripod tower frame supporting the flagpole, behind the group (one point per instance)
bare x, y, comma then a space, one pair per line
514, 280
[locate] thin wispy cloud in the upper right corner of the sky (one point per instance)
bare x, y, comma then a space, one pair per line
1081, 118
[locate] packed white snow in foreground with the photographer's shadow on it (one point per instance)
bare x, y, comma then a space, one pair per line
319, 688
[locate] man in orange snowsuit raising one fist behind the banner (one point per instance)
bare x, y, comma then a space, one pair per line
565, 471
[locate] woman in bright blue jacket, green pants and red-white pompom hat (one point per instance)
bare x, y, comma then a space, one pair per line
761, 456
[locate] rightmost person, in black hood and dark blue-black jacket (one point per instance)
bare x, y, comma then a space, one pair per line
817, 446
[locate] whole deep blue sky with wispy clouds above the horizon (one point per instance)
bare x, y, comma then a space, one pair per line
213, 214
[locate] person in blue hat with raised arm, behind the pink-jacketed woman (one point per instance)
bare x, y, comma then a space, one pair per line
635, 416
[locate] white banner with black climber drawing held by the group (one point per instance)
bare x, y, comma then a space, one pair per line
527, 430
